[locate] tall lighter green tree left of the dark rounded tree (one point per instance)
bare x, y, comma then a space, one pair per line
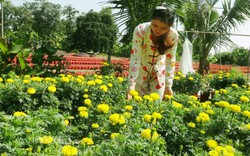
47, 17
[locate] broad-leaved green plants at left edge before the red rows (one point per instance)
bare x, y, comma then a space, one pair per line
26, 56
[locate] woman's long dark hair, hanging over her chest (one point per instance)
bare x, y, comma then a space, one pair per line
166, 15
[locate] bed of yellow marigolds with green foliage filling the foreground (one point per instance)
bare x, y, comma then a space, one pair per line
77, 109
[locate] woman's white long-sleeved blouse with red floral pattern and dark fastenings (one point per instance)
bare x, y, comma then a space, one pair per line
145, 61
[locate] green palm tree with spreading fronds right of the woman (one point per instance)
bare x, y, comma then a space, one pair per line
200, 15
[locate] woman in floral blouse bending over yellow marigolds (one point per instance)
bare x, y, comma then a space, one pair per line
152, 60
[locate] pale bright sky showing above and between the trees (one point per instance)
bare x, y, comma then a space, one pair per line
97, 5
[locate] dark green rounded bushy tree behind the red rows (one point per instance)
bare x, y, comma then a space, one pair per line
95, 31
